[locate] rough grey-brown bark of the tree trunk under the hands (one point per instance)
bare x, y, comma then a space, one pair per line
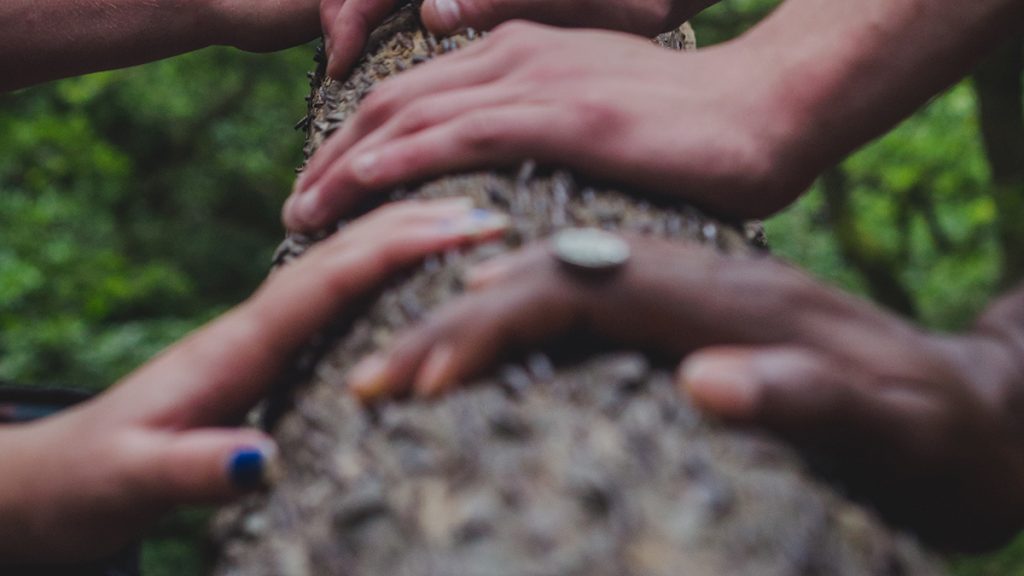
593, 467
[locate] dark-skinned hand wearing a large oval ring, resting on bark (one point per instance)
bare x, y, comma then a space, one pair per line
924, 426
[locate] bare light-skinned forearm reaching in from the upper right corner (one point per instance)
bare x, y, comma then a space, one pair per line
846, 72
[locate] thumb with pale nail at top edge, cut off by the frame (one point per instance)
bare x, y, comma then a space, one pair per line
446, 17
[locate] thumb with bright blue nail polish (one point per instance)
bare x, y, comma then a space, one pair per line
203, 467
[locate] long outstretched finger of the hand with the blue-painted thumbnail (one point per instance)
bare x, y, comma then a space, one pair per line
220, 373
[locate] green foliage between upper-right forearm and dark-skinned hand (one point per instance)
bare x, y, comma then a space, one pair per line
922, 196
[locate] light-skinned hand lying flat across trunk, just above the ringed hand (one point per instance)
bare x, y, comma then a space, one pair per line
710, 128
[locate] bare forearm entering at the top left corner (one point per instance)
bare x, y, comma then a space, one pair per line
44, 40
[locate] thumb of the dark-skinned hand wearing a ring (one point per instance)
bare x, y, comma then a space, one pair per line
801, 394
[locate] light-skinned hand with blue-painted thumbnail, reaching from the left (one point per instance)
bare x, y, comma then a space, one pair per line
79, 485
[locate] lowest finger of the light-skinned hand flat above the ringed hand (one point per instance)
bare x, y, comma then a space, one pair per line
492, 138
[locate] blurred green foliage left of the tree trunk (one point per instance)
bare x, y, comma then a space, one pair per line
137, 204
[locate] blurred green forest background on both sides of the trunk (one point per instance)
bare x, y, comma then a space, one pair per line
136, 205
